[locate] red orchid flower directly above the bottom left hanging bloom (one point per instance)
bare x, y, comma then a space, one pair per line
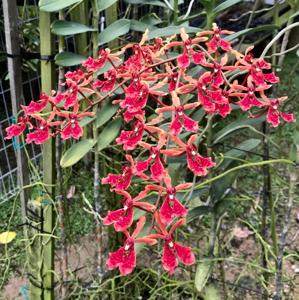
122, 218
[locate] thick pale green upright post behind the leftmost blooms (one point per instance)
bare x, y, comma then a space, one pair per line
47, 47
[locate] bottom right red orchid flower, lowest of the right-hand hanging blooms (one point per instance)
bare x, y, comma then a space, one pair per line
173, 252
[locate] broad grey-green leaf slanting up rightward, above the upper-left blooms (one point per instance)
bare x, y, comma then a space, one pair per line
115, 30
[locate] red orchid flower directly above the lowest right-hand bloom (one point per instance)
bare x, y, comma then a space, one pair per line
171, 206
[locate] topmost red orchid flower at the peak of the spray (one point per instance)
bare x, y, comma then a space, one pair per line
217, 41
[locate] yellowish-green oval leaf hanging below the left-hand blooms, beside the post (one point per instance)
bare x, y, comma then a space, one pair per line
76, 152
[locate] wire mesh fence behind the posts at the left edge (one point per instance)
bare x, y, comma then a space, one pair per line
28, 16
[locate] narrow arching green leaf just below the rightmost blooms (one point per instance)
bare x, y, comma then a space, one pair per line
237, 125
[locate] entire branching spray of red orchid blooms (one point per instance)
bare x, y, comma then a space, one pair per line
152, 78
